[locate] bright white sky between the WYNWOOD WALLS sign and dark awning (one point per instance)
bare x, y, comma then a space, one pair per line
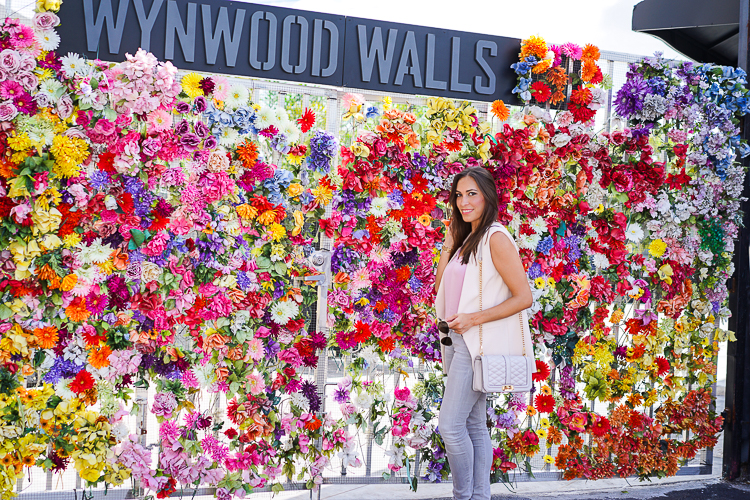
605, 23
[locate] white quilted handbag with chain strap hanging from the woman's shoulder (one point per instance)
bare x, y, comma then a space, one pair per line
498, 373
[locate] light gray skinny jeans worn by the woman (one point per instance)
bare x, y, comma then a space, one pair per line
463, 425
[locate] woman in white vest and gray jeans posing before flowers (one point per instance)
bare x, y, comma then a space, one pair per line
463, 413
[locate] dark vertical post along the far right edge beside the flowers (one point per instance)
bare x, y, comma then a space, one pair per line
737, 413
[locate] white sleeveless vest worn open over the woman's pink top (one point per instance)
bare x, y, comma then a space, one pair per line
495, 291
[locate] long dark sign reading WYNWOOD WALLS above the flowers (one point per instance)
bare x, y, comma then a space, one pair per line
285, 44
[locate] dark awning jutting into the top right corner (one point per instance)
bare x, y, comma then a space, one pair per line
703, 30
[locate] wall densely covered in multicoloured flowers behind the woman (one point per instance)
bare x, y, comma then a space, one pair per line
152, 230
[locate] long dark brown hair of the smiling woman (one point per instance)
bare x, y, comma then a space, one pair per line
462, 233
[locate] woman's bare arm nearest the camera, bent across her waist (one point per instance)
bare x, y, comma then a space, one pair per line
508, 264
